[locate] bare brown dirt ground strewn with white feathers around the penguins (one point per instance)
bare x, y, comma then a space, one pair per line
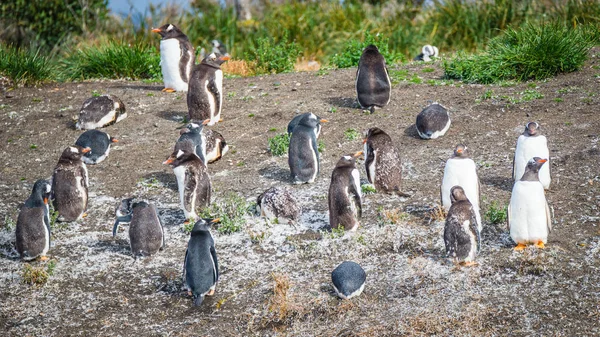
276, 278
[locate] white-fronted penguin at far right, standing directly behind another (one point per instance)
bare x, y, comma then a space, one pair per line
531, 144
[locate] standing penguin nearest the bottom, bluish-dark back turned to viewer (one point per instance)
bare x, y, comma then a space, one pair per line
200, 268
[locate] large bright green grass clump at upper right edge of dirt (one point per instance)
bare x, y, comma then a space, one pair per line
533, 52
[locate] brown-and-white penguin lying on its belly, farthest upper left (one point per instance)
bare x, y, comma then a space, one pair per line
101, 111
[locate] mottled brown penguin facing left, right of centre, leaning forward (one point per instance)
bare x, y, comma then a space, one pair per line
382, 161
